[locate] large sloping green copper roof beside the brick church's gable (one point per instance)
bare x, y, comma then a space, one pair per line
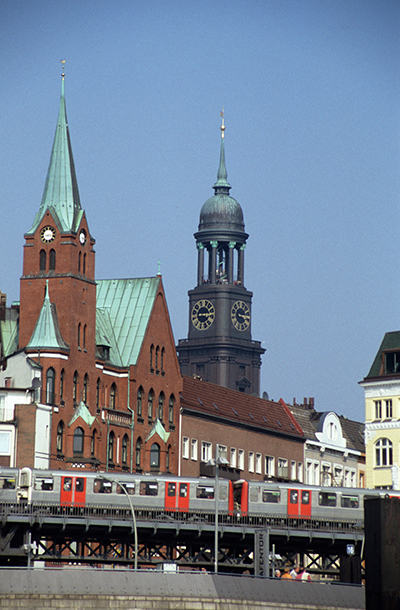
123, 313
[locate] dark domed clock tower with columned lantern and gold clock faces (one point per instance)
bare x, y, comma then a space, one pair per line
219, 347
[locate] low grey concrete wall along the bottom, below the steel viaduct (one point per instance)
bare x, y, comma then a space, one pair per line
81, 589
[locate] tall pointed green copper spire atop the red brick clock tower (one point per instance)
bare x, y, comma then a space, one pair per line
61, 194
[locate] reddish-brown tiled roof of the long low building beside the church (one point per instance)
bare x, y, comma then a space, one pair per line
239, 408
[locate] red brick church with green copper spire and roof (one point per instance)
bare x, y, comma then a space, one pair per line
110, 379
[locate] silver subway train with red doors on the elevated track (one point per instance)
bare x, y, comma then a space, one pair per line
249, 501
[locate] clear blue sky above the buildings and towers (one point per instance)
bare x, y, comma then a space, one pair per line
312, 112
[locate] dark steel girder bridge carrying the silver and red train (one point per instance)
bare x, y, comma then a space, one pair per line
99, 536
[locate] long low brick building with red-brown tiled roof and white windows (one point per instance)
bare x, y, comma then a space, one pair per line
259, 438
